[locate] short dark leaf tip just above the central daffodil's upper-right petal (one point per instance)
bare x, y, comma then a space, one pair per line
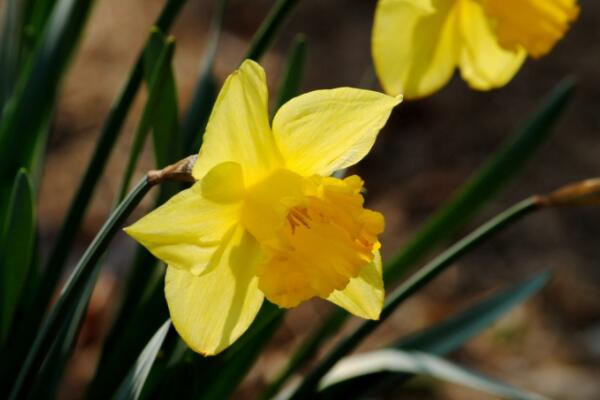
294, 72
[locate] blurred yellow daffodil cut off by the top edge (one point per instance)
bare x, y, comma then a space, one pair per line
417, 44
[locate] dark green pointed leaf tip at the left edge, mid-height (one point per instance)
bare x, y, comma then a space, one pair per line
17, 242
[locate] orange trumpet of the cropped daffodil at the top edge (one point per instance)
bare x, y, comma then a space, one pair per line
536, 25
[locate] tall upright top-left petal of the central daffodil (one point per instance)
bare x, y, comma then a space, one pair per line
238, 129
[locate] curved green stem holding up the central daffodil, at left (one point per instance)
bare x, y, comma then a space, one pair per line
72, 290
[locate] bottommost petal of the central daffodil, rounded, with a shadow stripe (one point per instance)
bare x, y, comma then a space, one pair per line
212, 310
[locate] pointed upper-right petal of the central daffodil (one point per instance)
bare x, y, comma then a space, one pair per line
326, 130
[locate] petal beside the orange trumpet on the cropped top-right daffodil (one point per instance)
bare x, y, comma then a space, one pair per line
484, 64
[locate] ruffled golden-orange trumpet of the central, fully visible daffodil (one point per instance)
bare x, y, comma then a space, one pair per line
314, 233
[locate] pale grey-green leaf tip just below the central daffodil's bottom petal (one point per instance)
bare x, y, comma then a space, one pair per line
132, 386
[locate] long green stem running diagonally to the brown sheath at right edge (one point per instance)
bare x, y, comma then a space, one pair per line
412, 285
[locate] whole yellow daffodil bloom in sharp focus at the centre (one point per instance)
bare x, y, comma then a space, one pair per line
264, 218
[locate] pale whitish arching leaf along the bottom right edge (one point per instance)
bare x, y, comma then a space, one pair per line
418, 363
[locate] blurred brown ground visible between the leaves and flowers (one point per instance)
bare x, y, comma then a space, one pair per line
430, 147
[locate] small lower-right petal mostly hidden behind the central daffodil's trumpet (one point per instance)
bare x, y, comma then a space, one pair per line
364, 294
